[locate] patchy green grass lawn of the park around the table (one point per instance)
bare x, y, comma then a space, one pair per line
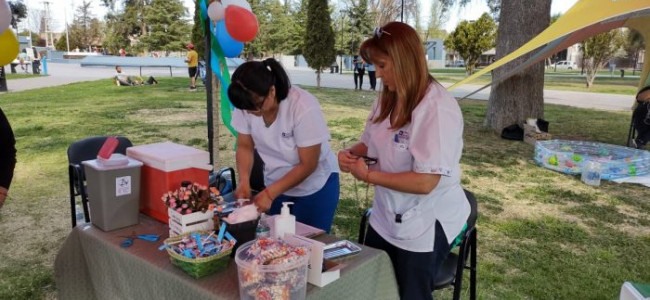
541, 234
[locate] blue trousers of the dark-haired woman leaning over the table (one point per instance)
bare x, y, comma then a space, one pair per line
316, 209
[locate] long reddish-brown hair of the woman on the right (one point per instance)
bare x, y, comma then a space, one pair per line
404, 48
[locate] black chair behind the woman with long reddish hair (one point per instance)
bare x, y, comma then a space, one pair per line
451, 271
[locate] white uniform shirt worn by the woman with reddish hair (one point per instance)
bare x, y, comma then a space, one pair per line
431, 143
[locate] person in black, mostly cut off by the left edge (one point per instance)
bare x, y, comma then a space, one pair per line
7, 157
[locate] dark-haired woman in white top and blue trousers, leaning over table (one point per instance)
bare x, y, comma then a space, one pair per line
286, 126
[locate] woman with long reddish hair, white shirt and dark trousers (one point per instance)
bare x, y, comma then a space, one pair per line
413, 136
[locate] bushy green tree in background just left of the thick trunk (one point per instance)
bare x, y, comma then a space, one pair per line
471, 39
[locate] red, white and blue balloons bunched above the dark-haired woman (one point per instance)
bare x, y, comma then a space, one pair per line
235, 25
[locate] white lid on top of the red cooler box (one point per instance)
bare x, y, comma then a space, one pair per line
168, 156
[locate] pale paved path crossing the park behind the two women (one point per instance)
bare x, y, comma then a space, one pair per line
61, 74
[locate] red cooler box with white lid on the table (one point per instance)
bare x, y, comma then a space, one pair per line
166, 165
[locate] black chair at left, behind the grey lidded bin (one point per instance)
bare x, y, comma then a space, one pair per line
79, 151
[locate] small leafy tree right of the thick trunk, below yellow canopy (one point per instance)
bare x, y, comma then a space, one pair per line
598, 50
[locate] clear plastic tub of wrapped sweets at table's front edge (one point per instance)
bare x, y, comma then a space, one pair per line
281, 281
